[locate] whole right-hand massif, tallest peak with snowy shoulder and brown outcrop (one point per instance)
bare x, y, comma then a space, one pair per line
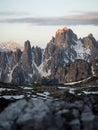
65, 48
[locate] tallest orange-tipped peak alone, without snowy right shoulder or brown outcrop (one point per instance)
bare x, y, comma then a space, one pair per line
59, 52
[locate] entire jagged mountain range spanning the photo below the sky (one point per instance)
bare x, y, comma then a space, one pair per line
65, 59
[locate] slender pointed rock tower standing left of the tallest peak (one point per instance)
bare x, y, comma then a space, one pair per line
26, 70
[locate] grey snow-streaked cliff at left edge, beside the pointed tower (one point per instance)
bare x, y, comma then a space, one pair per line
9, 61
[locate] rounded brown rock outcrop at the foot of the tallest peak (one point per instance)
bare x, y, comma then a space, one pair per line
78, 70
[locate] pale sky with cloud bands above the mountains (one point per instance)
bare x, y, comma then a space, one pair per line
38, 20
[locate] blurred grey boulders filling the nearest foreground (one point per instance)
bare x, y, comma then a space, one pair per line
51, 114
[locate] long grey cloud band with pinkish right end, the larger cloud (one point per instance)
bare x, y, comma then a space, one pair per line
89, 18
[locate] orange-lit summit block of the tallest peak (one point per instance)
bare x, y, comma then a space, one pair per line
64, 36
